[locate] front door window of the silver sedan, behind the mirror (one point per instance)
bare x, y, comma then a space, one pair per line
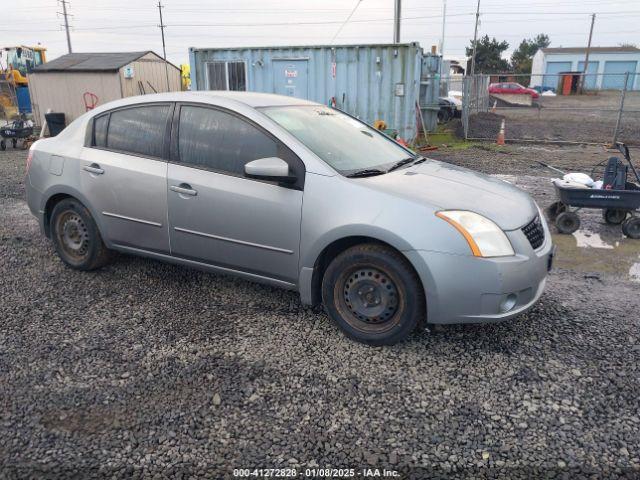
220, 141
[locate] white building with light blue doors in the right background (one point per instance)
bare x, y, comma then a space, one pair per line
606, 70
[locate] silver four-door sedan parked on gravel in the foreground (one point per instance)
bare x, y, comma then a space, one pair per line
294, 194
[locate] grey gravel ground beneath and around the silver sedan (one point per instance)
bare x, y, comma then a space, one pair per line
150, 370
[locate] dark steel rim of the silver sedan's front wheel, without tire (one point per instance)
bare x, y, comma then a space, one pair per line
371, 297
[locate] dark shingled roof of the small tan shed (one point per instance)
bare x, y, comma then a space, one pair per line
92, 62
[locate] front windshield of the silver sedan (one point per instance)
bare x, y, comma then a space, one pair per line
346, 144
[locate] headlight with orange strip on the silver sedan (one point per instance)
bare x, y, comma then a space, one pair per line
484, 237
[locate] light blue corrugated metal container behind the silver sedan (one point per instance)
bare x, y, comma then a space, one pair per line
372, 82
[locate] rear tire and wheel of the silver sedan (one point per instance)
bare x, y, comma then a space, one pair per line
76, 237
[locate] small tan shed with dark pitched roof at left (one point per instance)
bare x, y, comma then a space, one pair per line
61, 84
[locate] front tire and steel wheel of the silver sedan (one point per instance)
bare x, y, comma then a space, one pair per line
373, 294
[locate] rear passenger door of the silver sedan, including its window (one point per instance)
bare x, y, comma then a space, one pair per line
124, 175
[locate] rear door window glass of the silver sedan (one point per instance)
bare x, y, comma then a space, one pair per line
138, 130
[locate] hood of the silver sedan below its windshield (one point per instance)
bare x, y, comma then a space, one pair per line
448, 187
